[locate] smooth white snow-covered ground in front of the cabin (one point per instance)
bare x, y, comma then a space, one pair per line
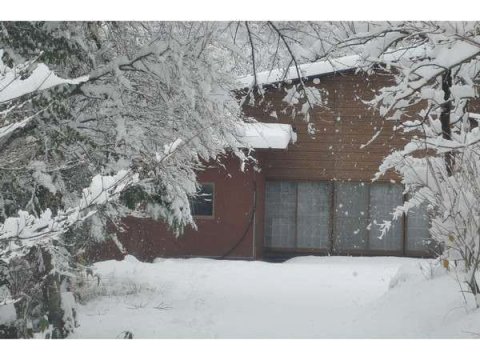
306, 297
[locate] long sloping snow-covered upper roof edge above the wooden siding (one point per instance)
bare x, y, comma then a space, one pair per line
307, 70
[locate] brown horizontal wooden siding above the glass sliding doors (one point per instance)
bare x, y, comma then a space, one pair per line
335, 151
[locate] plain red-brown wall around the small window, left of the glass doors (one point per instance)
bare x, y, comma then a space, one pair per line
229, 233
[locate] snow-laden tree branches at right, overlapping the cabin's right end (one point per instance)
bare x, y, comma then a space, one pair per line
435, 69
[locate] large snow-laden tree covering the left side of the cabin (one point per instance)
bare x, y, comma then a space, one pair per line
97, 99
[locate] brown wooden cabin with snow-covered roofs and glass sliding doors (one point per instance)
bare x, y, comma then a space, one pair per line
314, 193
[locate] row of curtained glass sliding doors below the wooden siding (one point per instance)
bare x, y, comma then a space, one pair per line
341, 217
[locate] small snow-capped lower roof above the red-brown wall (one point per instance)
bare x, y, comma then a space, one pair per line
266, 136
